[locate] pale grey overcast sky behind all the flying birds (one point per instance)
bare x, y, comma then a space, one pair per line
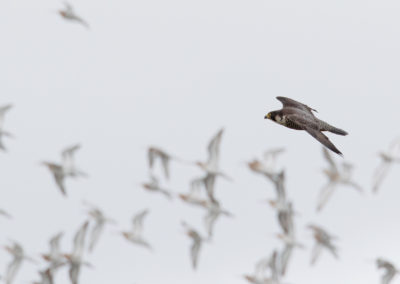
172, 73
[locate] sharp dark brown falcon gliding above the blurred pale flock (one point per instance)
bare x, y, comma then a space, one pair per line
299, 116
